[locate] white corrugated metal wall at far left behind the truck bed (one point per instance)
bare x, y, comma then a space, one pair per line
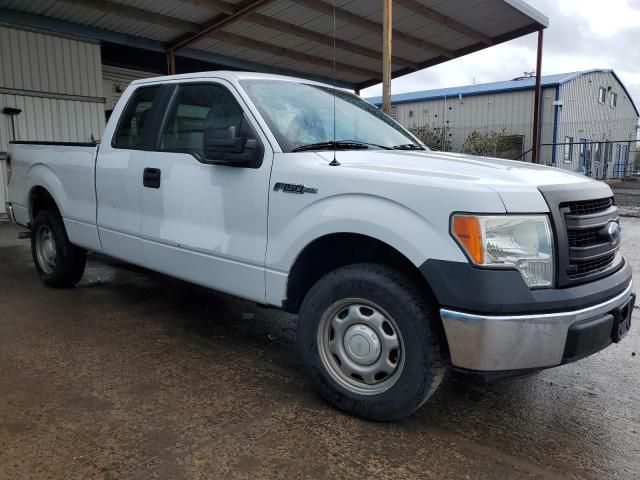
57, 83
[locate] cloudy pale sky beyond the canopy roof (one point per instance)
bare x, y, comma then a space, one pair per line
582, 35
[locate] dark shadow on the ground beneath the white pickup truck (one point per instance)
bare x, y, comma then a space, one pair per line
200, 315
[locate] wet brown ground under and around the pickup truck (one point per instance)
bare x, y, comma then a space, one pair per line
135, 375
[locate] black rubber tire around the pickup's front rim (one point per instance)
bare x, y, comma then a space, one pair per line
414, 313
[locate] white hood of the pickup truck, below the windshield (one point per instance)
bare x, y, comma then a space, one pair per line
515, 182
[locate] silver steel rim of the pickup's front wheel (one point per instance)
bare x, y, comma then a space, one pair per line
349, 333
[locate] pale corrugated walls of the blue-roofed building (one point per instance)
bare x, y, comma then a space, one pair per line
581, 116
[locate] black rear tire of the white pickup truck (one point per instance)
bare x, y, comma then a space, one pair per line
69, 261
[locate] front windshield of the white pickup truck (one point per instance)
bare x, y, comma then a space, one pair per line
301, 114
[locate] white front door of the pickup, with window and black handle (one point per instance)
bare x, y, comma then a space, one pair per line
201, 222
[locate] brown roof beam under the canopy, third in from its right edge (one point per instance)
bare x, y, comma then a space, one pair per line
300, 32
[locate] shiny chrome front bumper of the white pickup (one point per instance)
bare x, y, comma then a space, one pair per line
514, 342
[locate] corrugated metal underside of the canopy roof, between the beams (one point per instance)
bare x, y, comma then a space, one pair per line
170, 19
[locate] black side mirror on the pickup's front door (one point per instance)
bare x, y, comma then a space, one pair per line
224, 146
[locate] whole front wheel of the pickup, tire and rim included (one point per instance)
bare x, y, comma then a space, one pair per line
370, 342
